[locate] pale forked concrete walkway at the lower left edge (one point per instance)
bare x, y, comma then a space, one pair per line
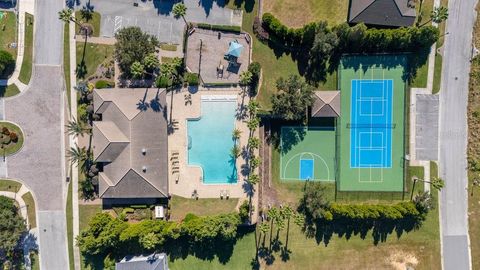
29, 240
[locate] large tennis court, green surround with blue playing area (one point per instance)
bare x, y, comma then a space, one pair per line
387, 172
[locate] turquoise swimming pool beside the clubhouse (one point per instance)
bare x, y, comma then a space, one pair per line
210, 139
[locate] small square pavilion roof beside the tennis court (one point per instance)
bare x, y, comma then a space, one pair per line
326, 104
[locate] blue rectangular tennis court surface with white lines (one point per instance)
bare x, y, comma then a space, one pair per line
371, 124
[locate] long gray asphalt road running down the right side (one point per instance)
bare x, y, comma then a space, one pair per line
453, 134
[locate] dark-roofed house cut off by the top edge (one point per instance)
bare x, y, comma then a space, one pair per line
388, 13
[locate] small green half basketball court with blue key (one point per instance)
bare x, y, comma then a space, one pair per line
307, 153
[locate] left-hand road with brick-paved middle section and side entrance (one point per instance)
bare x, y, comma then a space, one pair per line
39, 112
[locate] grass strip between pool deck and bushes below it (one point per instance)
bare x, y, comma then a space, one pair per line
202, 207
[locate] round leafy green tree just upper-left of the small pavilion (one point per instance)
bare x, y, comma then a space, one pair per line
293, 98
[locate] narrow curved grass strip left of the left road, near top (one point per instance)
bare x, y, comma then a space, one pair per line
26, 70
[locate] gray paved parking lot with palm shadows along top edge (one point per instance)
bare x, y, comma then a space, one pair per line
156, 18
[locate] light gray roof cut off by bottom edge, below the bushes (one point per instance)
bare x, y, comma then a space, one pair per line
152, 262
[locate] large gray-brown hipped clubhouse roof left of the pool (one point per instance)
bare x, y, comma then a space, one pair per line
133, 121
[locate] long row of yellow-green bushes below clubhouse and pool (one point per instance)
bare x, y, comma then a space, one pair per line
106, 234
